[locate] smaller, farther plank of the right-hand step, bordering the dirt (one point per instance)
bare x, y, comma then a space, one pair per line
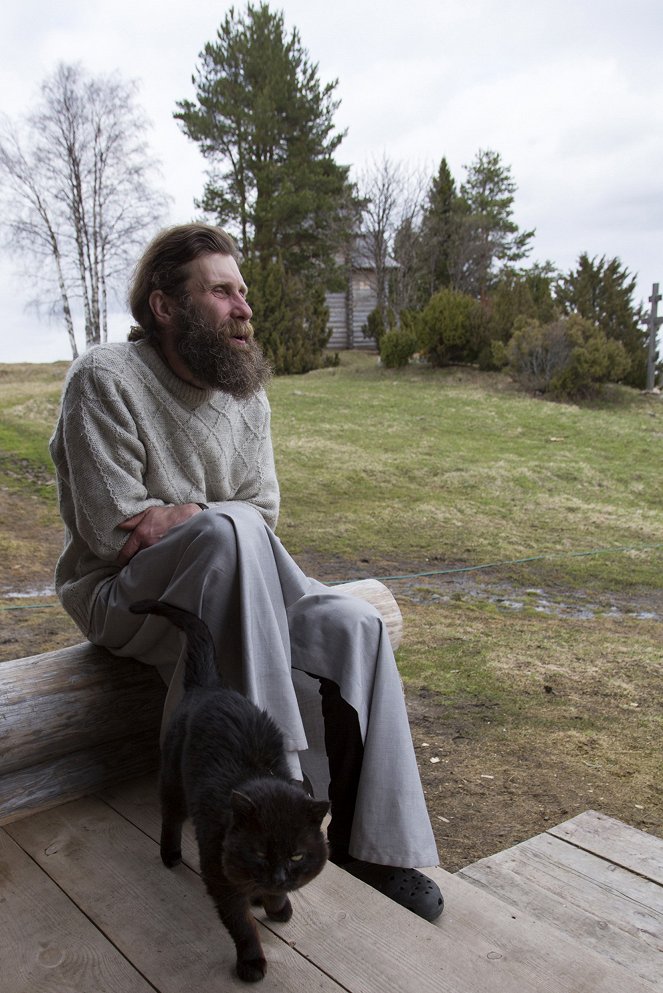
615, 841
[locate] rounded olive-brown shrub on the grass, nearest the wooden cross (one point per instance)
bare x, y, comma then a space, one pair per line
570, 357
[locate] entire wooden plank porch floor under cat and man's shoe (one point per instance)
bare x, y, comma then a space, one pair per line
87, 907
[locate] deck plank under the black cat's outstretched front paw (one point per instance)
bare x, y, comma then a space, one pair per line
163, 921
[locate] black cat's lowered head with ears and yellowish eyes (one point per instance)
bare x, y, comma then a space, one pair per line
274, 843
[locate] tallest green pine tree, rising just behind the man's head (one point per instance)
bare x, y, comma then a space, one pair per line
265, 123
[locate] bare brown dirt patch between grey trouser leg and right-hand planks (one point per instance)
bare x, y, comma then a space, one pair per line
485, 794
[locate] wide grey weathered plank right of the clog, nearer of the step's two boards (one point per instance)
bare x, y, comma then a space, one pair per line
607, 908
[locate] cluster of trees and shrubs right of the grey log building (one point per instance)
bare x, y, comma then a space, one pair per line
457, 289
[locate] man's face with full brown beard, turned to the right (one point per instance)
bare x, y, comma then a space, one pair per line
211, 332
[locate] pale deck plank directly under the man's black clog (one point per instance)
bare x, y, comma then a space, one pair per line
480, 942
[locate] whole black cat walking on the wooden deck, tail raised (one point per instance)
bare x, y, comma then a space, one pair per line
223, 765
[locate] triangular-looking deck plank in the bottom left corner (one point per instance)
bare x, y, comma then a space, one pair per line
47, 944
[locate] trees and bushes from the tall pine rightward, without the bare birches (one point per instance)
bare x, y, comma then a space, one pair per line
447, 260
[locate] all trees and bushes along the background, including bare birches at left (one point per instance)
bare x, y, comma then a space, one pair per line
448, 259
